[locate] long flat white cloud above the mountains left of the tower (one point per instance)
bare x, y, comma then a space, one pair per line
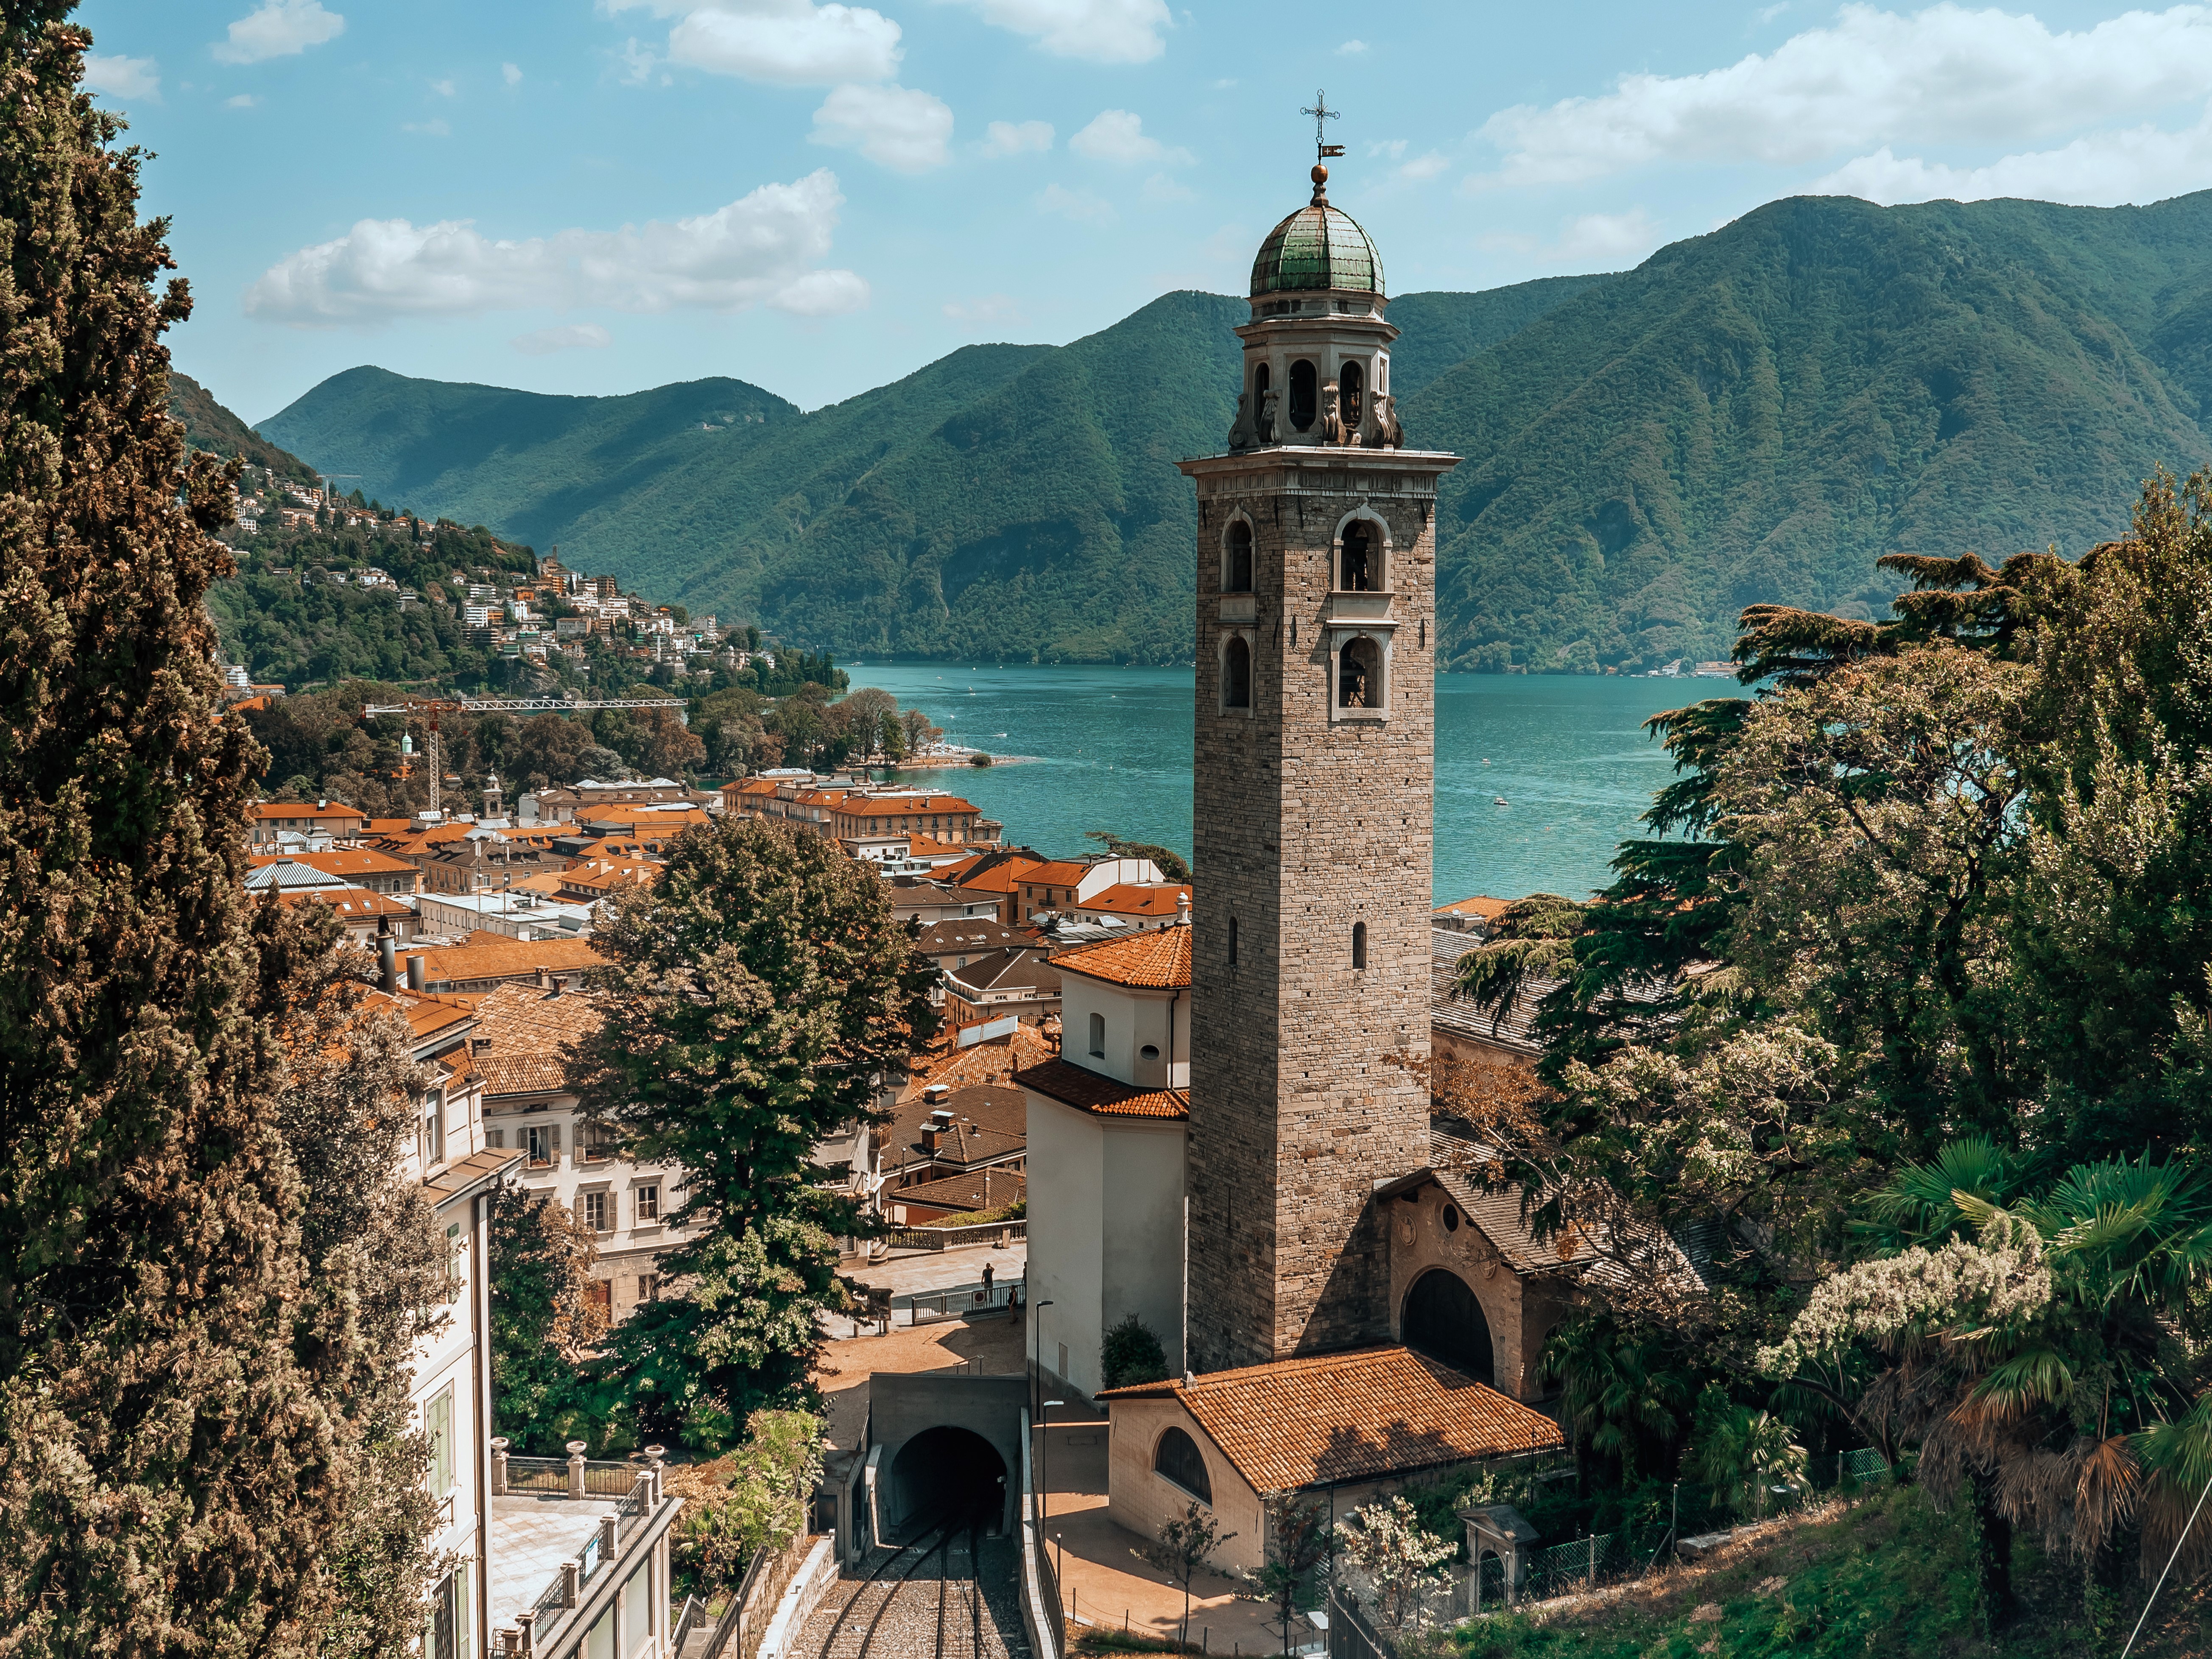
758, 251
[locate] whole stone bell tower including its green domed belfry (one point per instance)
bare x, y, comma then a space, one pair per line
1313, 802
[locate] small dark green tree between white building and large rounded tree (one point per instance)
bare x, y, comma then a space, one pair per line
545, 1324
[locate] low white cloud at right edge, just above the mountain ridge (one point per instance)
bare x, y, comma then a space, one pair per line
2096, 171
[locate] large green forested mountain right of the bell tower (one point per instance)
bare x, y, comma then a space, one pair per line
1762, 413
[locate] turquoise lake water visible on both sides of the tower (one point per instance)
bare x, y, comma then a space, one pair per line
1114, 753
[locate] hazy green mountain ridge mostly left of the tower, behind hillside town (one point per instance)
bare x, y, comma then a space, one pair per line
1008, 501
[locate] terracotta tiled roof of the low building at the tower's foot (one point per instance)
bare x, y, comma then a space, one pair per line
1350, 1417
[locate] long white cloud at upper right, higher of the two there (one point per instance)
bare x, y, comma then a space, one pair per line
1868, 79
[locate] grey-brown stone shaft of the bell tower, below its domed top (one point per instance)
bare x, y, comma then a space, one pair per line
1308, 822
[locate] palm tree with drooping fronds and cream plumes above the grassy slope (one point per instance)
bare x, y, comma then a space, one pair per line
2030, 1344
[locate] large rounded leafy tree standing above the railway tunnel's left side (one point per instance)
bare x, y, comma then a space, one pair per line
755, 999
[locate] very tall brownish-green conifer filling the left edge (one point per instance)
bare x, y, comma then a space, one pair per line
171, 1459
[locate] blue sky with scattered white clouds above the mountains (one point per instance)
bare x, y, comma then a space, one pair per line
603, 196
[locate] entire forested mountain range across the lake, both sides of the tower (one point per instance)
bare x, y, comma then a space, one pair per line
1746, 417
